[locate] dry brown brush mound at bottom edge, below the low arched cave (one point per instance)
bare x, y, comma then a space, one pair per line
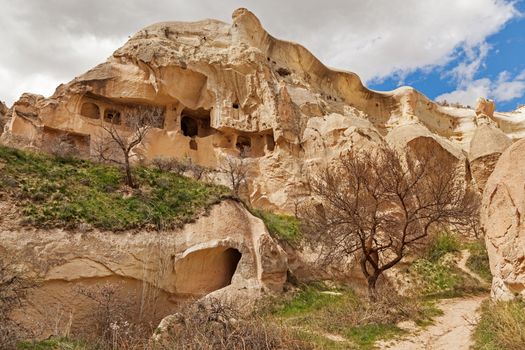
216, 325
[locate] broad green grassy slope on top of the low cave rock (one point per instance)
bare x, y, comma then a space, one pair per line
56, 192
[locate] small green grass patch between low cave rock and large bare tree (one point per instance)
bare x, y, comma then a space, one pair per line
281, 226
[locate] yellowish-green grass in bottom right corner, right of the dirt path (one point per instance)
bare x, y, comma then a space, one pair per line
502, 326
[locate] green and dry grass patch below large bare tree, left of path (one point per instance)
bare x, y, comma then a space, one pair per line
314, 314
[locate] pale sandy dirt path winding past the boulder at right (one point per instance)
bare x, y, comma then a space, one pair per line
453, 329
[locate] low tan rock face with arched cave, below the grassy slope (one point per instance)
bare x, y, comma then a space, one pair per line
153, 270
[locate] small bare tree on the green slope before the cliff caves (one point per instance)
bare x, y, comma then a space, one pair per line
119, 140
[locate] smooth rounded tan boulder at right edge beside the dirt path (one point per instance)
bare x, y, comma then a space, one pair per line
503, 210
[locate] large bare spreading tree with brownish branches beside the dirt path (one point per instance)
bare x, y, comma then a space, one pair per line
377, 204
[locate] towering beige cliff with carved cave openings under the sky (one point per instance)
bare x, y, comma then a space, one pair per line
231, 89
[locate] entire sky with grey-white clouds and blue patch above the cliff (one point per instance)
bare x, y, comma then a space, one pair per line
449, 49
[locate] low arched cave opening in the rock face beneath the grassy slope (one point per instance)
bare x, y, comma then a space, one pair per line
203, 271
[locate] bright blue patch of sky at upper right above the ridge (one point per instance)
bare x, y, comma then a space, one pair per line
504, 62
